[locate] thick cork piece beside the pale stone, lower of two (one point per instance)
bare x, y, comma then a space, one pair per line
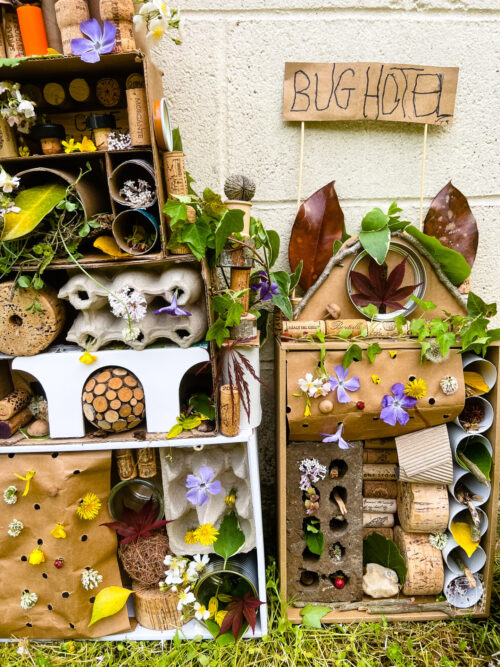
425, 572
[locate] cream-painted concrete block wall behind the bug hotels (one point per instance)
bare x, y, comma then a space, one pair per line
225, 82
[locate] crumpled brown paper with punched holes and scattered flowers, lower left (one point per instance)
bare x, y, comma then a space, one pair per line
64, 607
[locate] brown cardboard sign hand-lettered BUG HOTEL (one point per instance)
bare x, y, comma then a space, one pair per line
369, 91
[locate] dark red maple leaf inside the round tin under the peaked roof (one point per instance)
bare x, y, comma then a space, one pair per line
380, 289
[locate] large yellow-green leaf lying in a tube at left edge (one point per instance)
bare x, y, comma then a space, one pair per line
35, 203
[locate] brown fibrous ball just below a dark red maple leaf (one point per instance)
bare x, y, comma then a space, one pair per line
143, 560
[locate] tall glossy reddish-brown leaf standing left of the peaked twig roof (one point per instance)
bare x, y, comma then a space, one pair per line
319, 223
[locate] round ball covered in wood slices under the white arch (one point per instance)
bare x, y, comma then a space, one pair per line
113, 400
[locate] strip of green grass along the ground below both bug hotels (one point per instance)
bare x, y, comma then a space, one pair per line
442, 643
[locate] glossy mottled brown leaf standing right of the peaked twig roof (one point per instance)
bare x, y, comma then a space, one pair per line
450, 220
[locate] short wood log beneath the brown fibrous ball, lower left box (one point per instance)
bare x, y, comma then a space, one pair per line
156, 609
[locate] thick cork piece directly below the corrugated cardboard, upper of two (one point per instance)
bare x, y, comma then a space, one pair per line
423, 508
